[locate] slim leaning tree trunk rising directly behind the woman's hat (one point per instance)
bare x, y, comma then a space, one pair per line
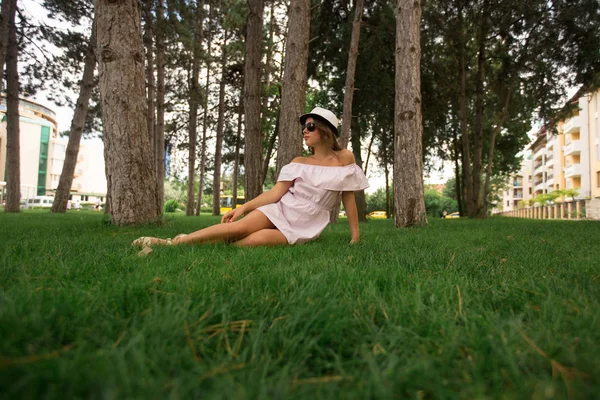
350, 72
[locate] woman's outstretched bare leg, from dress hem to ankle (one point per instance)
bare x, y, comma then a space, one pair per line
229, 231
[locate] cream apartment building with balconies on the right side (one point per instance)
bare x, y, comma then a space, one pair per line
567, 160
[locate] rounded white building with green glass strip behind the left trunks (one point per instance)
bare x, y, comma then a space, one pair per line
42, 155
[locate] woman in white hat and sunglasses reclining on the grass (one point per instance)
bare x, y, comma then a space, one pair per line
297, 208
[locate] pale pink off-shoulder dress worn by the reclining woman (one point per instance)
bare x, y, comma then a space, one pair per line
303, 212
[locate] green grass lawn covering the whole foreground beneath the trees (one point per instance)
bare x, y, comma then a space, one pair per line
453, 310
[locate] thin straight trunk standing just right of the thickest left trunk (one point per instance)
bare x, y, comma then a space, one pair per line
159, 133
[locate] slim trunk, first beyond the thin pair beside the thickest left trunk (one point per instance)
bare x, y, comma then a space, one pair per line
194, 102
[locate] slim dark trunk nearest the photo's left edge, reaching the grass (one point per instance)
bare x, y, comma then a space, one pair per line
13, 148
